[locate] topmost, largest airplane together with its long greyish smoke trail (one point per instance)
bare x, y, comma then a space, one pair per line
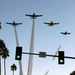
30, 62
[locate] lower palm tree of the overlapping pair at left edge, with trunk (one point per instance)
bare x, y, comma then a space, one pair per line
4, 54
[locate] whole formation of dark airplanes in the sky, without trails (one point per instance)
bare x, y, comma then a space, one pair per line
34, 16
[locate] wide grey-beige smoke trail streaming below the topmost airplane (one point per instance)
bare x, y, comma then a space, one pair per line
30, 63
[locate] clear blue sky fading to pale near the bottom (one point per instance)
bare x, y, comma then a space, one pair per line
47, 38
